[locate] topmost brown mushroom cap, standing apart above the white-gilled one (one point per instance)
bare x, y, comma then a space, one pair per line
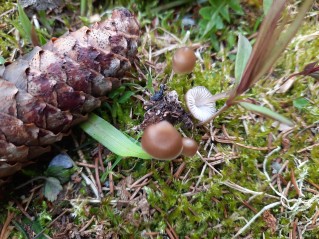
184, 60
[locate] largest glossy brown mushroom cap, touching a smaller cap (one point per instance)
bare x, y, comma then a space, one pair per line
162, 141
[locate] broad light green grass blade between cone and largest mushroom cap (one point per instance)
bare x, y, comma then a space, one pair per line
112, 138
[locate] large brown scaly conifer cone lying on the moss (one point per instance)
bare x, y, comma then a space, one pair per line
53, 87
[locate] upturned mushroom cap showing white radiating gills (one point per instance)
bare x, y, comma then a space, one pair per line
200, 103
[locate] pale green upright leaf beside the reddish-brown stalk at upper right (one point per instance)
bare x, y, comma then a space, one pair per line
243, 54
